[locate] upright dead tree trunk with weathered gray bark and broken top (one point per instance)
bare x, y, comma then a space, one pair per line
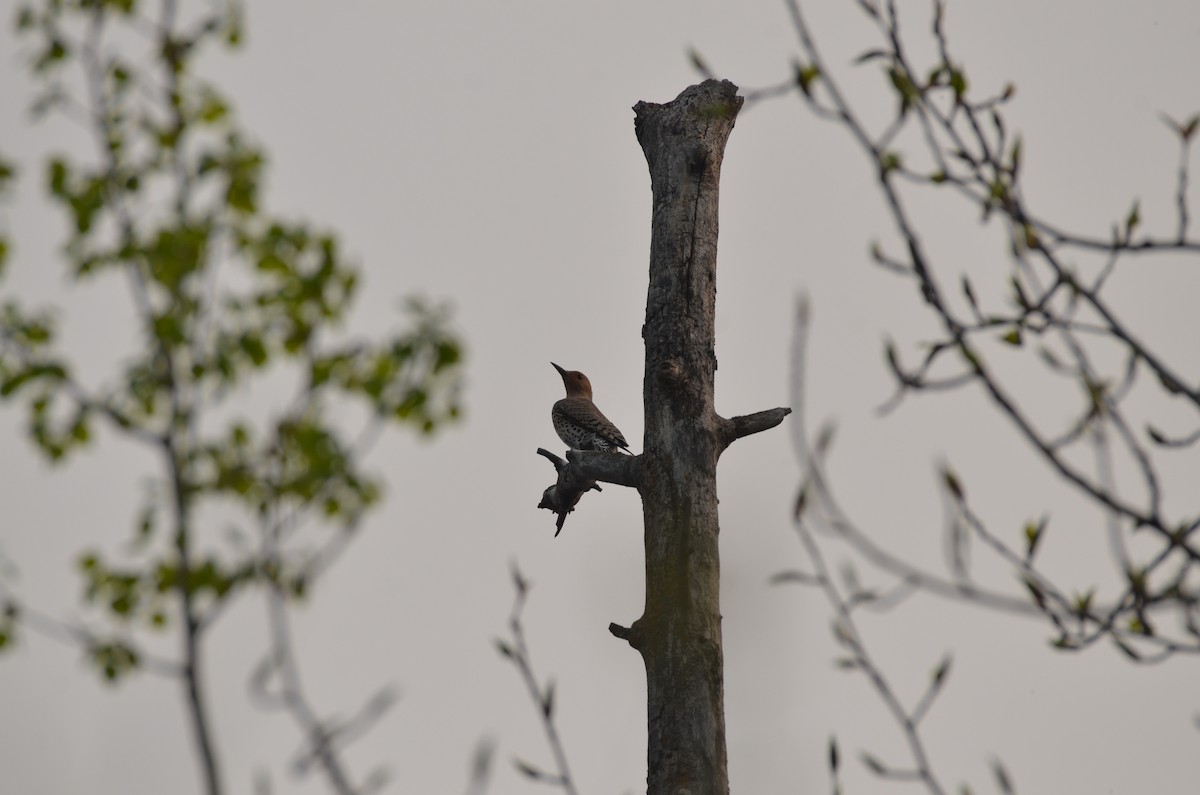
680, 632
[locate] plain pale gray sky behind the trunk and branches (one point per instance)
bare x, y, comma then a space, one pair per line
484, 154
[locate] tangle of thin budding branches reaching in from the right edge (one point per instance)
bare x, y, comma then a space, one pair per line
1067, 318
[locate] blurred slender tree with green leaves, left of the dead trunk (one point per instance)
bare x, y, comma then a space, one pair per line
224, 296
